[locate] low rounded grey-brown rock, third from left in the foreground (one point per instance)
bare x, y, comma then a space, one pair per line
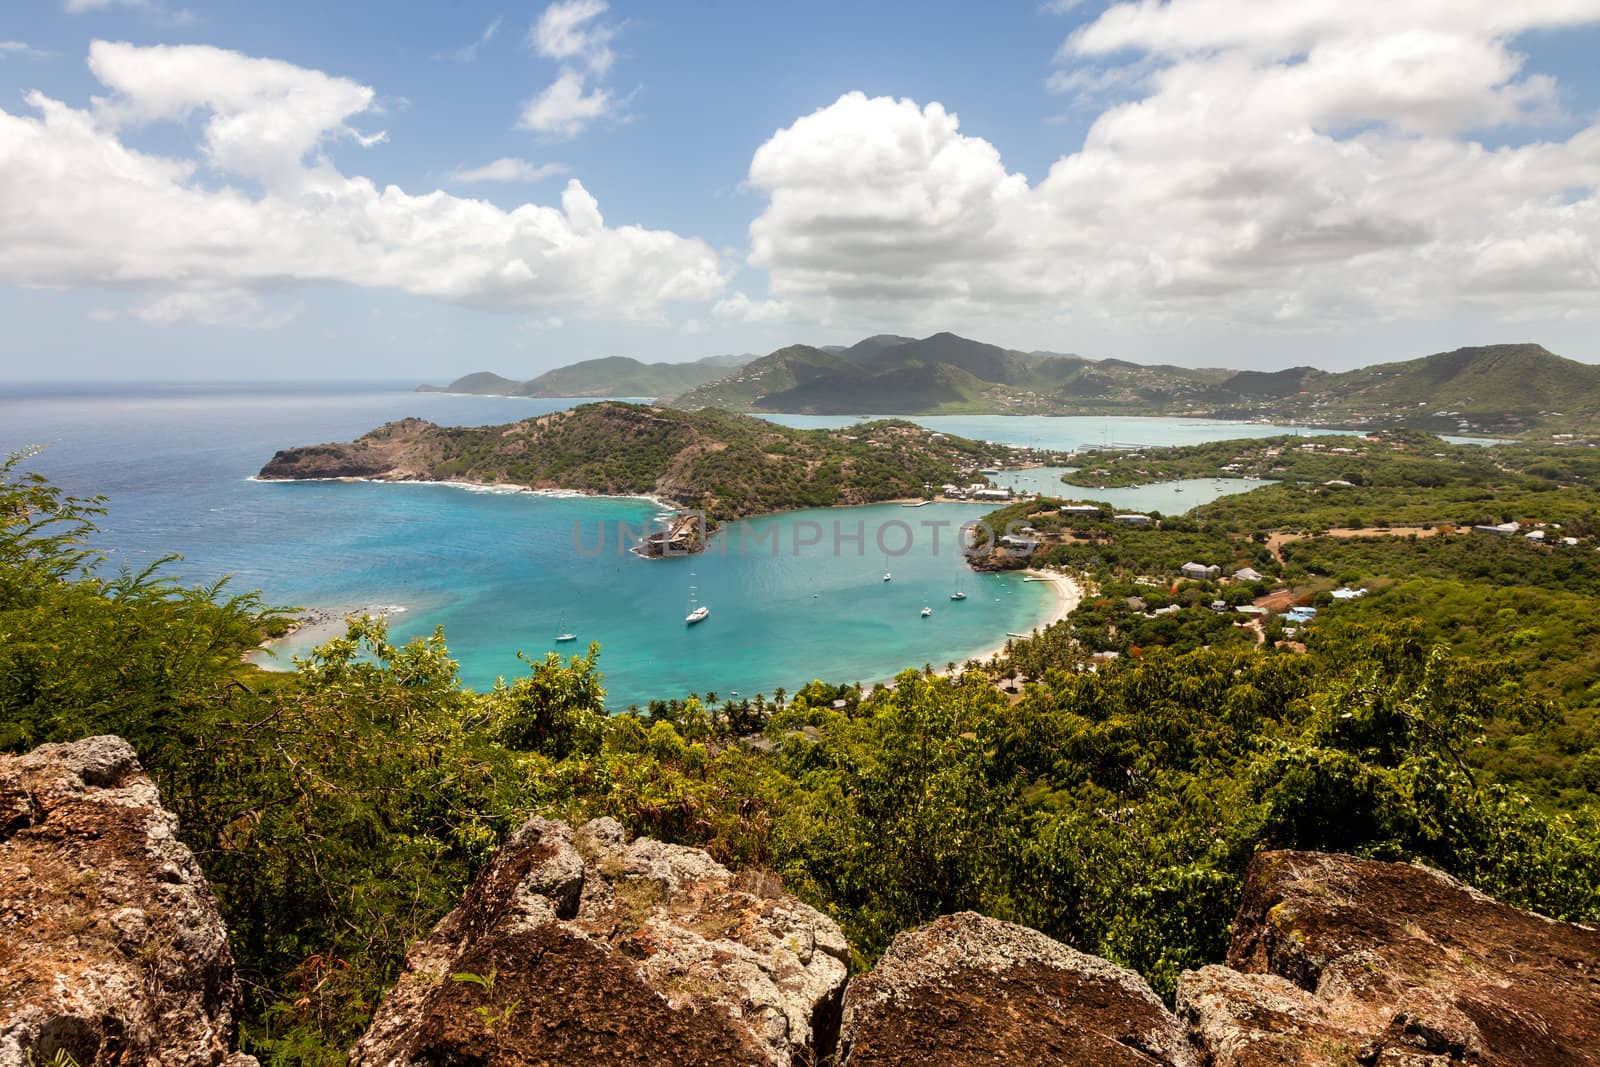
969, 989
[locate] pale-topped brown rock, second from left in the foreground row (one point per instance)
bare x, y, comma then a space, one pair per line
578, 948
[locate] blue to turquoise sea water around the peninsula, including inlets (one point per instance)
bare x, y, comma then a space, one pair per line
793, 597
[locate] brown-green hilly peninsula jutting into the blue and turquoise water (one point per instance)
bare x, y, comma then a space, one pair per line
727, 466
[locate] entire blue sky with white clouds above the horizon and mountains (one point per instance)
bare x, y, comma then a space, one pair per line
223, 190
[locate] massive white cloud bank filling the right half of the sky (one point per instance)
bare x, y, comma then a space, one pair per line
1289, 164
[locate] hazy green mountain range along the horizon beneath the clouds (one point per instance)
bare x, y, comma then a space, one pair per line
1492, 390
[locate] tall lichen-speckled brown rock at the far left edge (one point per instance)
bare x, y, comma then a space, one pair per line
111, 945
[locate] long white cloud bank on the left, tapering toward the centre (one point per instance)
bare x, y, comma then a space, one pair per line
260, 207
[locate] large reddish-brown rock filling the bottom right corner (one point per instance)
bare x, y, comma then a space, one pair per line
1338, 961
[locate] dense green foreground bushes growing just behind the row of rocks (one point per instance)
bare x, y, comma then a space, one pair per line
340, 810
